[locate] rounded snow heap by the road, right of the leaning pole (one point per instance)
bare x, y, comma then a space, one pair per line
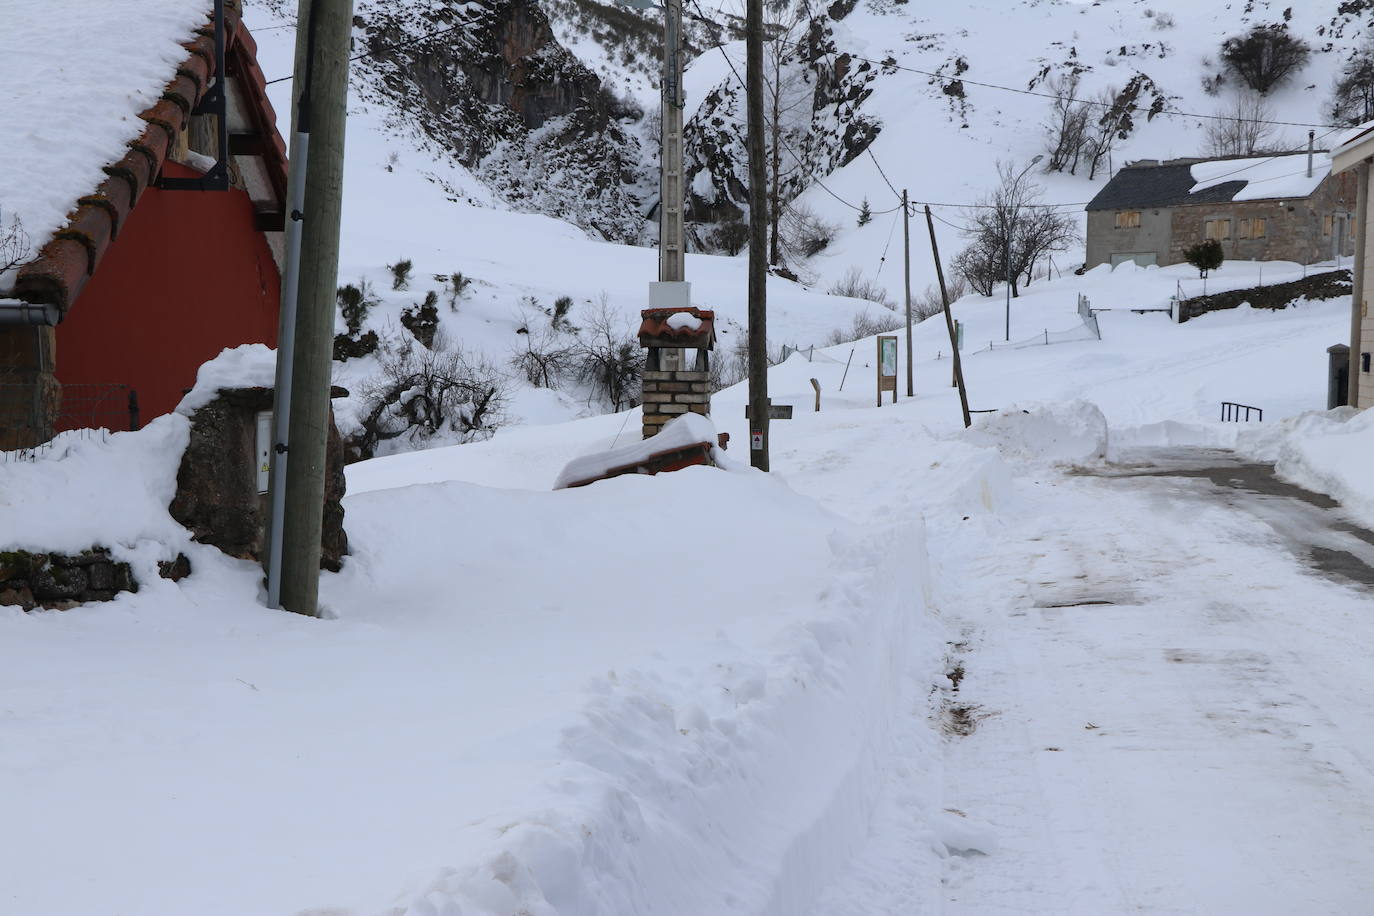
1059, 433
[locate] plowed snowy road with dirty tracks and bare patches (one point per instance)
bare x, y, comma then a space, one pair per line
1167, 700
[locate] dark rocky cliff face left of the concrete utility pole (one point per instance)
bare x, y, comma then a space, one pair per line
499, 94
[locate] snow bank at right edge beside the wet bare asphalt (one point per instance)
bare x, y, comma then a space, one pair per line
1324, 451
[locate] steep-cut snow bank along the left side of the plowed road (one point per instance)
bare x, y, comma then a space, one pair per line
739, 788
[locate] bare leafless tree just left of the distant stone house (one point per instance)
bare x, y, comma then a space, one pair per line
1011, 231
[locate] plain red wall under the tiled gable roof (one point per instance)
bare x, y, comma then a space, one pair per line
188, 277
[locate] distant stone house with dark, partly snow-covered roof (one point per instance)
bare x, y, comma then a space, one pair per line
1284, 208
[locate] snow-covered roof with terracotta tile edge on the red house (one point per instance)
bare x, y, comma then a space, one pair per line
97, 95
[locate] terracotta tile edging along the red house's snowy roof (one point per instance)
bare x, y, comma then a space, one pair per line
65, 264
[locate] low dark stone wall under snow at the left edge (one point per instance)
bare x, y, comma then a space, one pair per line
61, 582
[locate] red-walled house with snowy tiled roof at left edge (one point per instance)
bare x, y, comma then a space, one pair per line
167, 260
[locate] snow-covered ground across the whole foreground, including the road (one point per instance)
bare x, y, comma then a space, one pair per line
723, 693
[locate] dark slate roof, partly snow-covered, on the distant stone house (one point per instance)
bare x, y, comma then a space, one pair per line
1211, 182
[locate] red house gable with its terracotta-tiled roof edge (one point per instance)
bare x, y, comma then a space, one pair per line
150, 284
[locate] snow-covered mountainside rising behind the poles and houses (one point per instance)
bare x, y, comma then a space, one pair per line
868, 67
